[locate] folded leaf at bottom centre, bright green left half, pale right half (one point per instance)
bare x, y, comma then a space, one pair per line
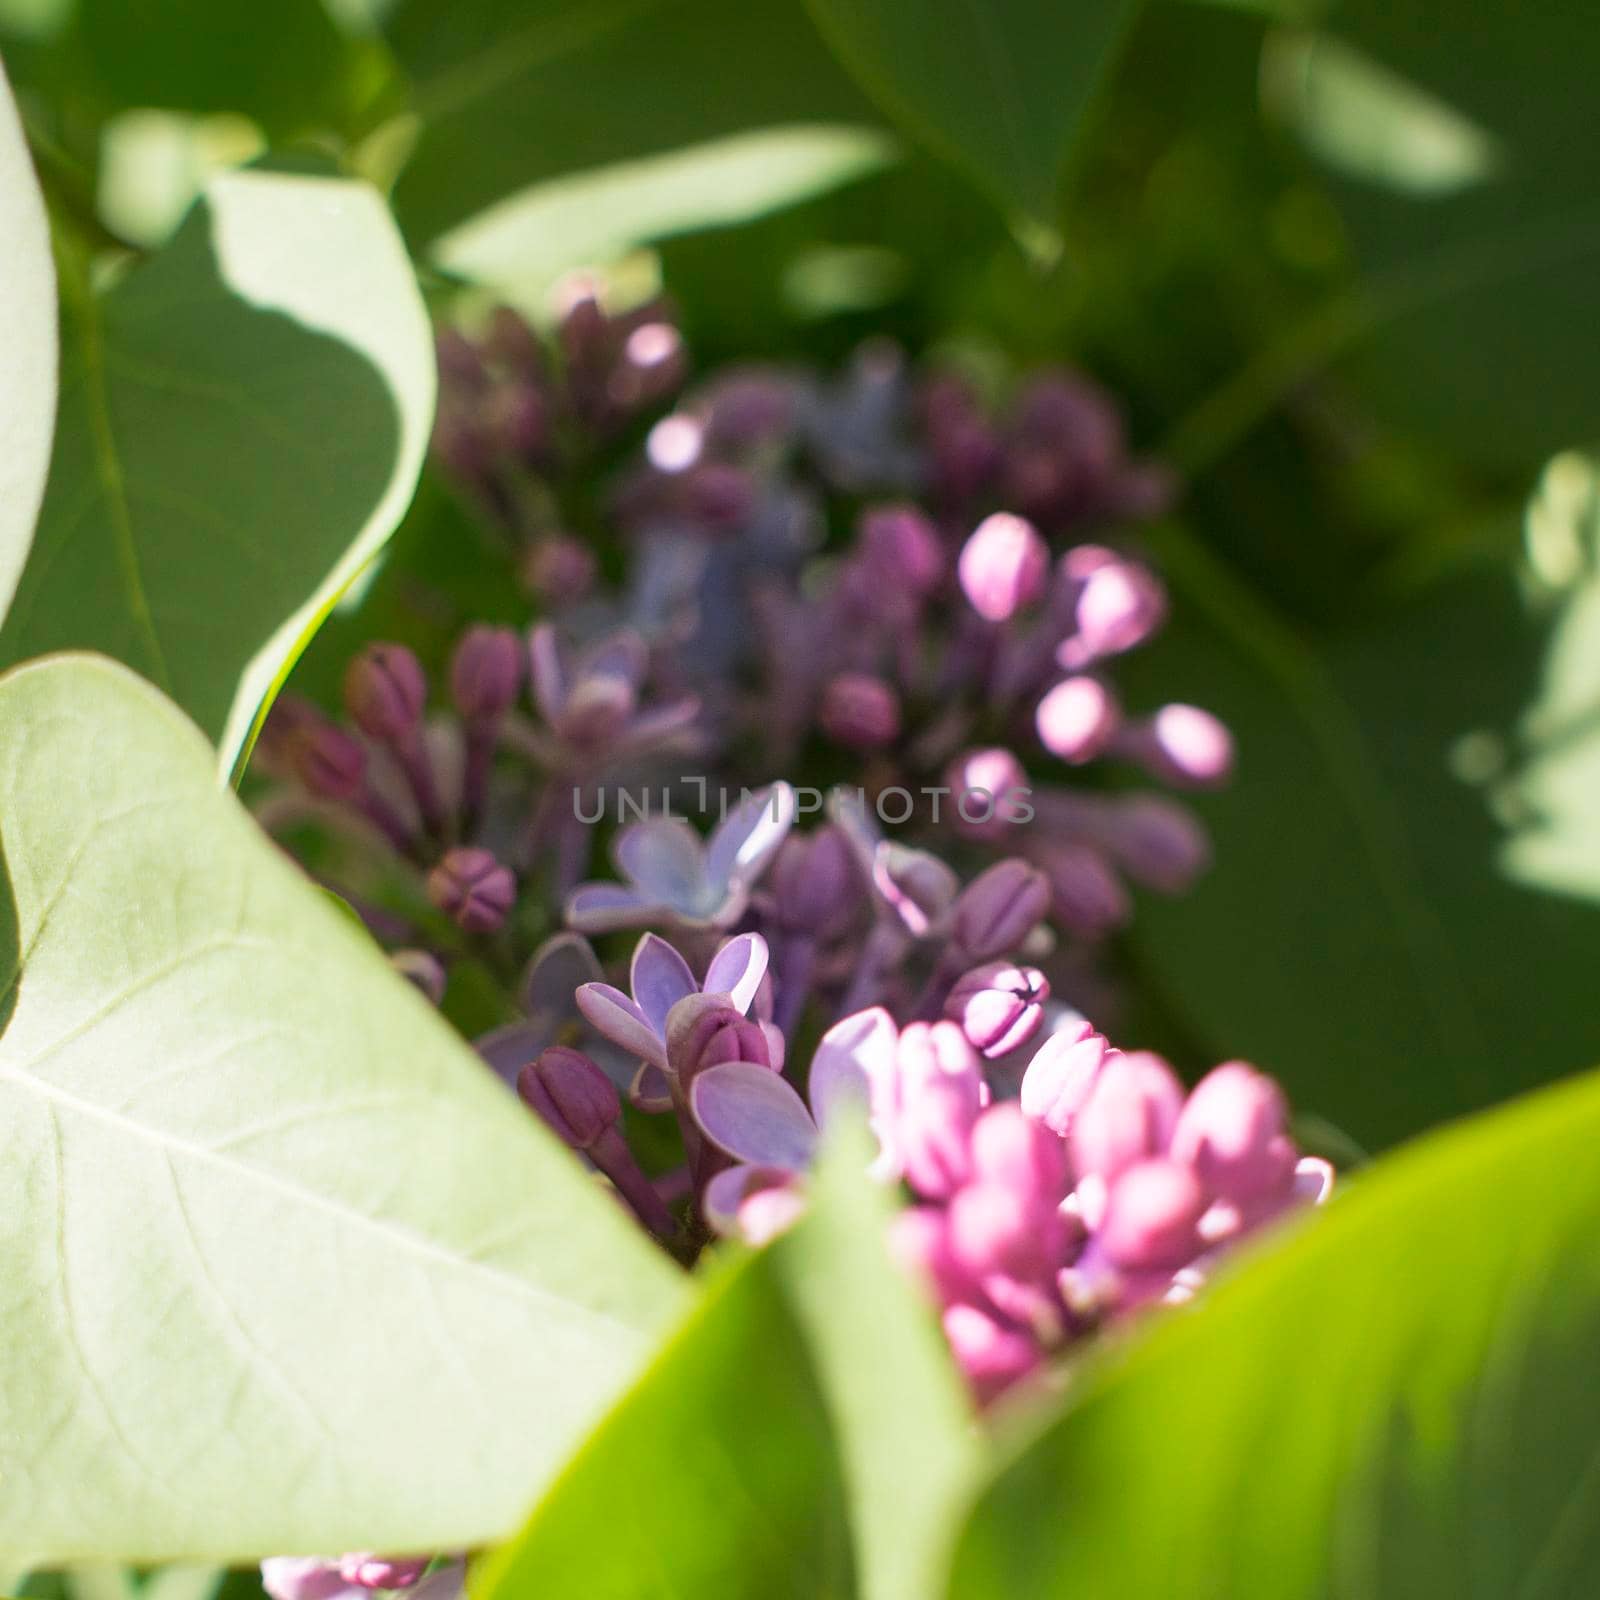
806, 1426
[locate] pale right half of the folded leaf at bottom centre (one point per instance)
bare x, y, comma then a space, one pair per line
905, 1426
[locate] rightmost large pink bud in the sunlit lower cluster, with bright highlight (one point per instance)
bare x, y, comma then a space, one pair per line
1233, 1132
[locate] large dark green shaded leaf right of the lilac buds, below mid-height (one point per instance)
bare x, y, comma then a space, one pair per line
1359, 934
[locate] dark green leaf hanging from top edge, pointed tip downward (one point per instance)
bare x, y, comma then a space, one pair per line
998, 87
